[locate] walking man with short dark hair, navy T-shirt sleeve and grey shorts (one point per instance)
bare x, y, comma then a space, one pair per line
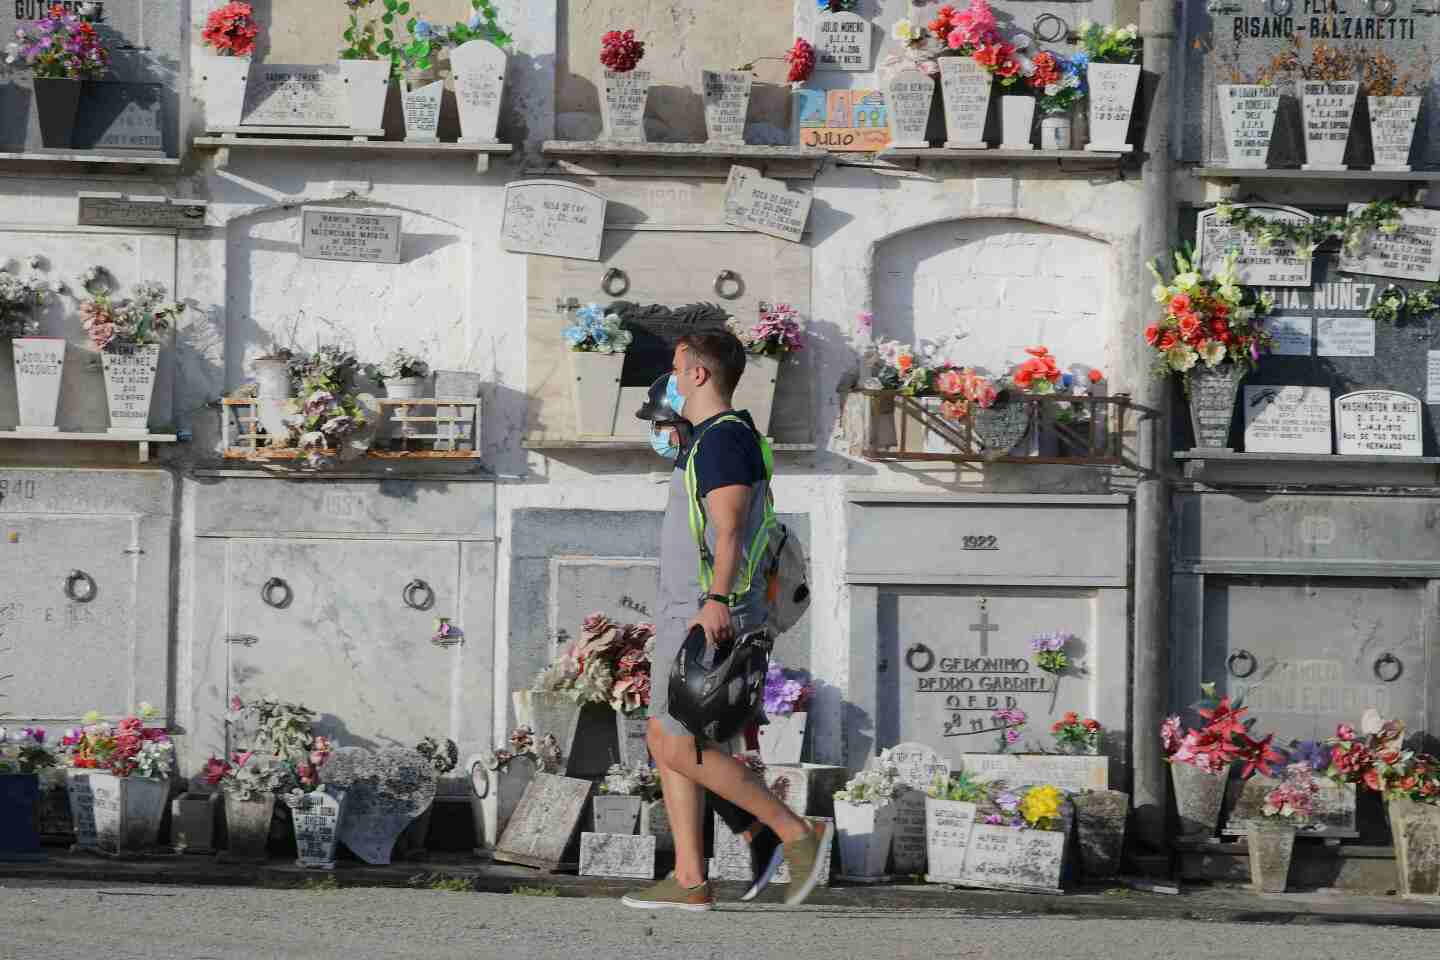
724, 468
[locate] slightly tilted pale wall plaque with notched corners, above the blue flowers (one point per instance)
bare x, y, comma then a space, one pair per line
554, 218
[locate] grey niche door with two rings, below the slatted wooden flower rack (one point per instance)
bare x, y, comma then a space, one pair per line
345, 627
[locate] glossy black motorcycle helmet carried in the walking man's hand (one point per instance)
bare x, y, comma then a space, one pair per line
716, 703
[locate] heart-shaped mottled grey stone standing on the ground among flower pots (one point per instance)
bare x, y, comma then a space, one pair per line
385, 791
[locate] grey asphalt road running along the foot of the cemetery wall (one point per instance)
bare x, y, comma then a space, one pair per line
220, 923
